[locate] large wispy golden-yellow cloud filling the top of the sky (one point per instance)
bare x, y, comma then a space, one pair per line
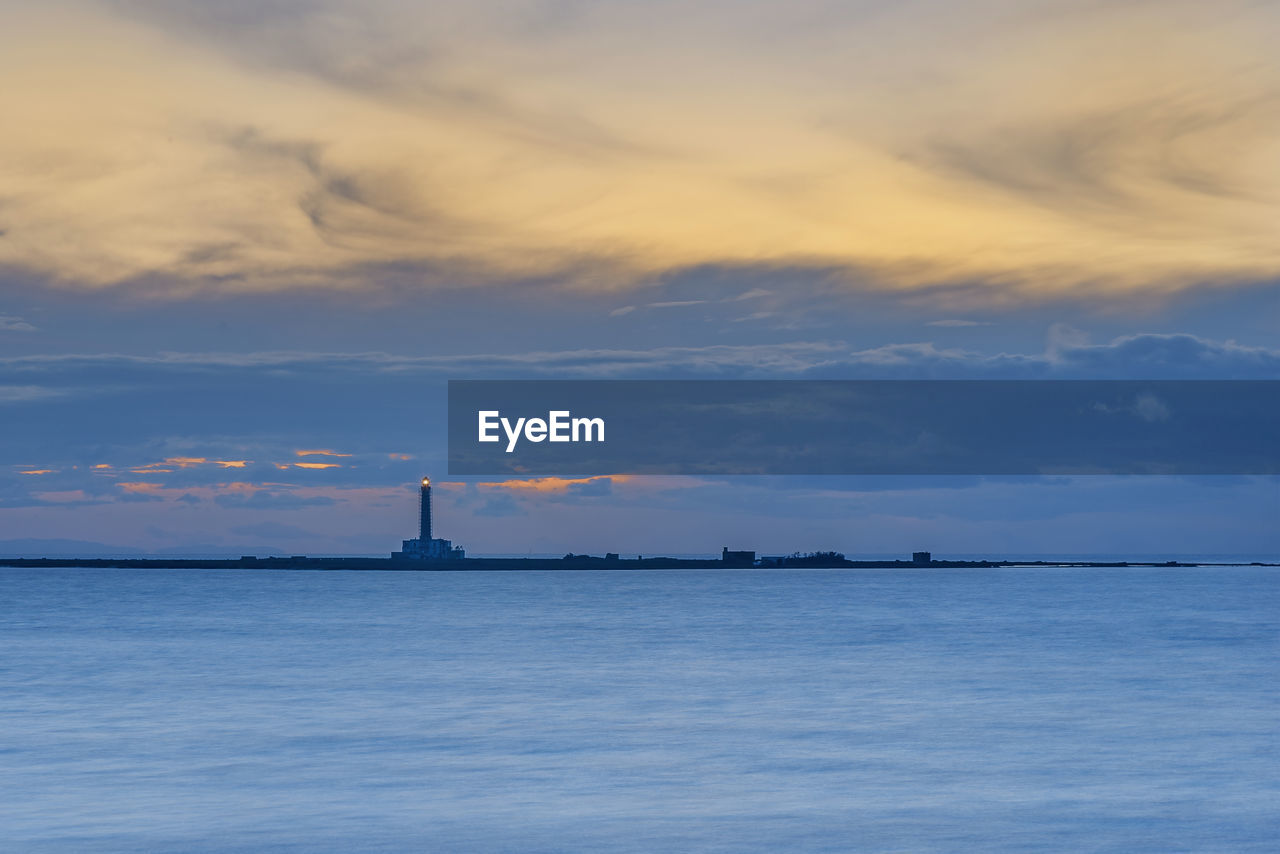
1022, 150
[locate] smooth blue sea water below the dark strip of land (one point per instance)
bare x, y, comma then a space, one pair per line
790, 711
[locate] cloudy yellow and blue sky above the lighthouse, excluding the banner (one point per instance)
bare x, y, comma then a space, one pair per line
245, 245
